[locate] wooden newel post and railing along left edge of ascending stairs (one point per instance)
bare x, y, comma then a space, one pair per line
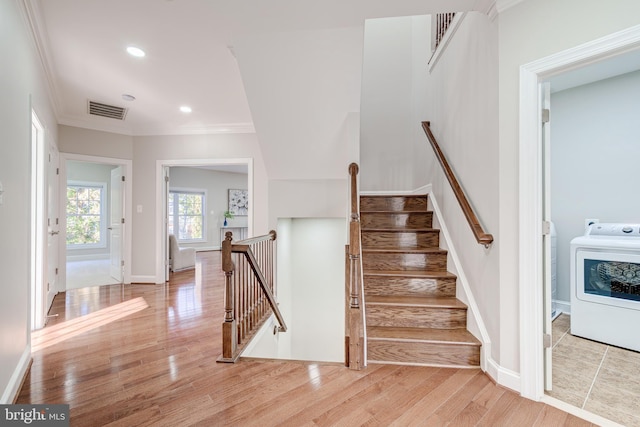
355, 357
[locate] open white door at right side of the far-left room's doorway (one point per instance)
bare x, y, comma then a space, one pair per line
116, 223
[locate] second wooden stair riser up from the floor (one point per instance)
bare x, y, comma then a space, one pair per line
415, 317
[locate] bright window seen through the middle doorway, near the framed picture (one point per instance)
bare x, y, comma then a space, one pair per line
186, 214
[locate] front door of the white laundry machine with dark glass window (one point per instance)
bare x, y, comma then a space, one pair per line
611, 278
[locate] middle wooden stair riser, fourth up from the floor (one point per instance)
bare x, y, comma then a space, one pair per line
404, 261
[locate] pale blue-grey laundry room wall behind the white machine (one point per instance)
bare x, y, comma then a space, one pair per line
594, 153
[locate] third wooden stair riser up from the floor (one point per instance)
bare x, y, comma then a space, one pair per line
377, 285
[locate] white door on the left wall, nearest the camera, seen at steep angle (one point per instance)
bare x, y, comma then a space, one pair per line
53, 226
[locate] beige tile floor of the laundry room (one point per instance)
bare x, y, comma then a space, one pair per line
594, 376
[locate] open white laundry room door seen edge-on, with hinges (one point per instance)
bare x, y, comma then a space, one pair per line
545, 101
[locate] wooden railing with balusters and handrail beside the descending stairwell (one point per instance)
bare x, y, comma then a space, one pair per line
249, 300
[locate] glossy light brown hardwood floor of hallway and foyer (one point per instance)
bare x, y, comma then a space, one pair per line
140, 355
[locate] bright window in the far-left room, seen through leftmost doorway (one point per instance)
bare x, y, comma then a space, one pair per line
86, 226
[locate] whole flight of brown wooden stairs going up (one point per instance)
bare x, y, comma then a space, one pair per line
412, 314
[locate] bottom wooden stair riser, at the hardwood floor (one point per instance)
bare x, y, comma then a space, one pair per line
423, 353
